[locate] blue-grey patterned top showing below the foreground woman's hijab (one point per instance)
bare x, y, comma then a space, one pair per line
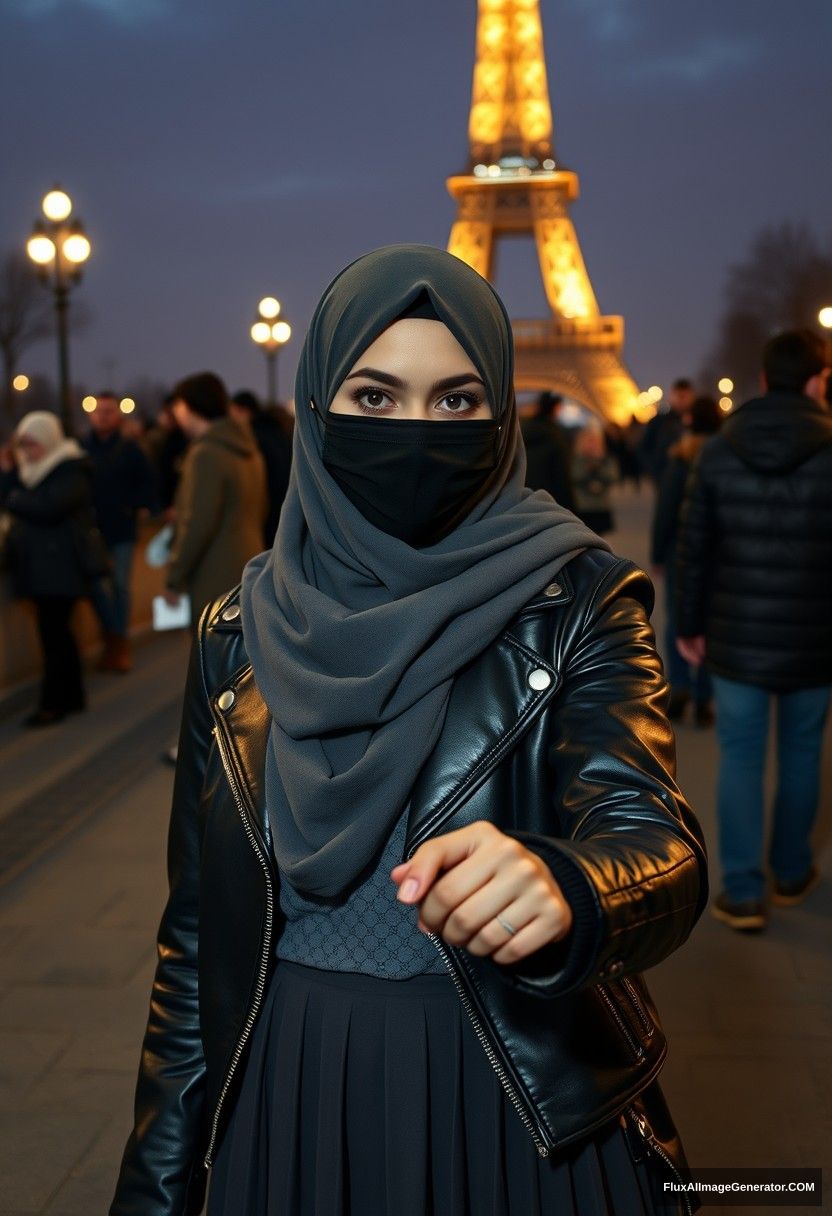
369, 932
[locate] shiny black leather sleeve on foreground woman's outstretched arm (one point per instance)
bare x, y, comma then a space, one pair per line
631, 858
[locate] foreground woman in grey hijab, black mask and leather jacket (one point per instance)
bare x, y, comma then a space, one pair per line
426, 832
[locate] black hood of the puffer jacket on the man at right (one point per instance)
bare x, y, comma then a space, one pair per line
779, 432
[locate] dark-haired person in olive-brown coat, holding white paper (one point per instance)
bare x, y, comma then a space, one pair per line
222, 500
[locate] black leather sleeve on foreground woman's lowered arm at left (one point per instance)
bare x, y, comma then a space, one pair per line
162, 1173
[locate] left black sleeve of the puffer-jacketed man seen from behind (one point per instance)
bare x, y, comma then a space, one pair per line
695, 550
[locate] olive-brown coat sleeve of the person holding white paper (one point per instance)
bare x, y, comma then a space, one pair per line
199, 514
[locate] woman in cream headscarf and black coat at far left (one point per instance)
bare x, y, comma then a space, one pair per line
50, 502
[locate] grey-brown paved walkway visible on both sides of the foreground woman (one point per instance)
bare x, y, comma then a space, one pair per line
750, 1020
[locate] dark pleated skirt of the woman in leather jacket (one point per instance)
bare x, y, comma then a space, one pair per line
373, 1097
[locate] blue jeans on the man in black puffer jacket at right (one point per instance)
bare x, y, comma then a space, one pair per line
743, 729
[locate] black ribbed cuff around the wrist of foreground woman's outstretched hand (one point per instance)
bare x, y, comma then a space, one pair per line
563, 966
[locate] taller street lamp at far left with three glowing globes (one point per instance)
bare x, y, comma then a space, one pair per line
59, 249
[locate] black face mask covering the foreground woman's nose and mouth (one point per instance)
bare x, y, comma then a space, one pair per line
415, 481
